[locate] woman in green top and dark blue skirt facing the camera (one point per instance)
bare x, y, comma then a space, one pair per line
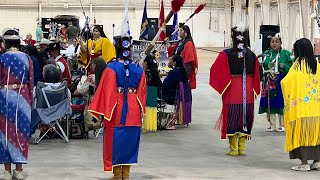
278, 61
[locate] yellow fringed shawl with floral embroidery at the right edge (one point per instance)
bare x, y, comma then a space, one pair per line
301, 92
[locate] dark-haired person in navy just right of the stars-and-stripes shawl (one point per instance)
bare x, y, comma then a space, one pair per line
32, 51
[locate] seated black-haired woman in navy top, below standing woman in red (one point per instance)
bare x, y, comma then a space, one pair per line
175, 76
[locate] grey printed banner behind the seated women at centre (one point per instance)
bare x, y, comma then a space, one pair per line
138, 47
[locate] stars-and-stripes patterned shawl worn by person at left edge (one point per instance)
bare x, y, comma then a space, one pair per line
15, 109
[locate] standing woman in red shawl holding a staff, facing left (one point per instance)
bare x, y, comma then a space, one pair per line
187, 50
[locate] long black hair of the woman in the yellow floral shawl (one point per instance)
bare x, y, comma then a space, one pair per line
303, 49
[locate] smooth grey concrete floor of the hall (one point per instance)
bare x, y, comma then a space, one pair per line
192, 153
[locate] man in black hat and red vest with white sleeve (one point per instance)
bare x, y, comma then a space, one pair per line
54, 52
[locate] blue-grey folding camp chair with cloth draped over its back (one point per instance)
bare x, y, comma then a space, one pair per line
52, 105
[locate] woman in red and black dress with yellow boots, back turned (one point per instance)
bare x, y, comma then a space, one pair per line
235, 76
